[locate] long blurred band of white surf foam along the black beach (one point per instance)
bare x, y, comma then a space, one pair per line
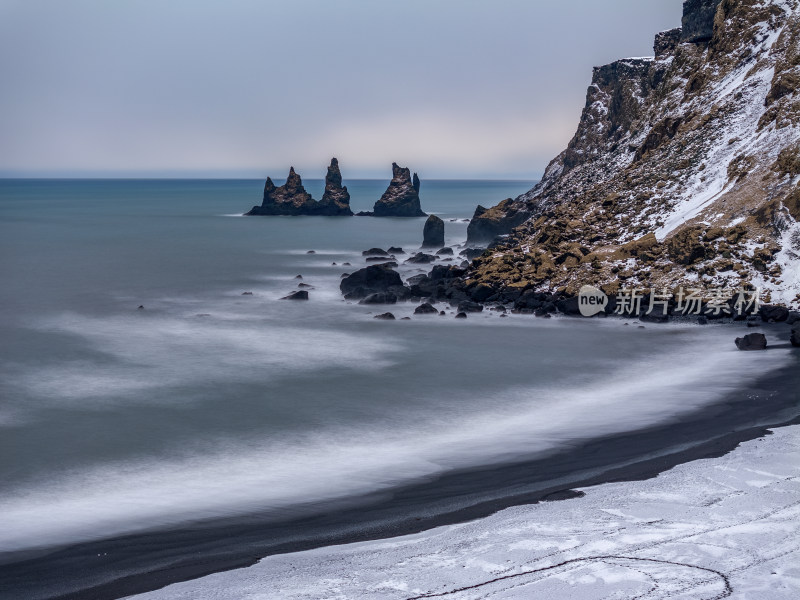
279, 474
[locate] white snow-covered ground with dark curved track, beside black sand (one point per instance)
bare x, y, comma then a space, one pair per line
713, 528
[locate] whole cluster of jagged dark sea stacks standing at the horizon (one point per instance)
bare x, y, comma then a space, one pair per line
401, 198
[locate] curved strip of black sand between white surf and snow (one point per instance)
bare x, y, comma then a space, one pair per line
123, 566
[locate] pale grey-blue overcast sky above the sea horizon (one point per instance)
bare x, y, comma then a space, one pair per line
245, 88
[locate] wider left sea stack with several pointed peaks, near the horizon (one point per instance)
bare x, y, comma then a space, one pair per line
293, 200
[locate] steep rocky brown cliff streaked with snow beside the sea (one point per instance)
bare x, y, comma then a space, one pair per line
684, 168
